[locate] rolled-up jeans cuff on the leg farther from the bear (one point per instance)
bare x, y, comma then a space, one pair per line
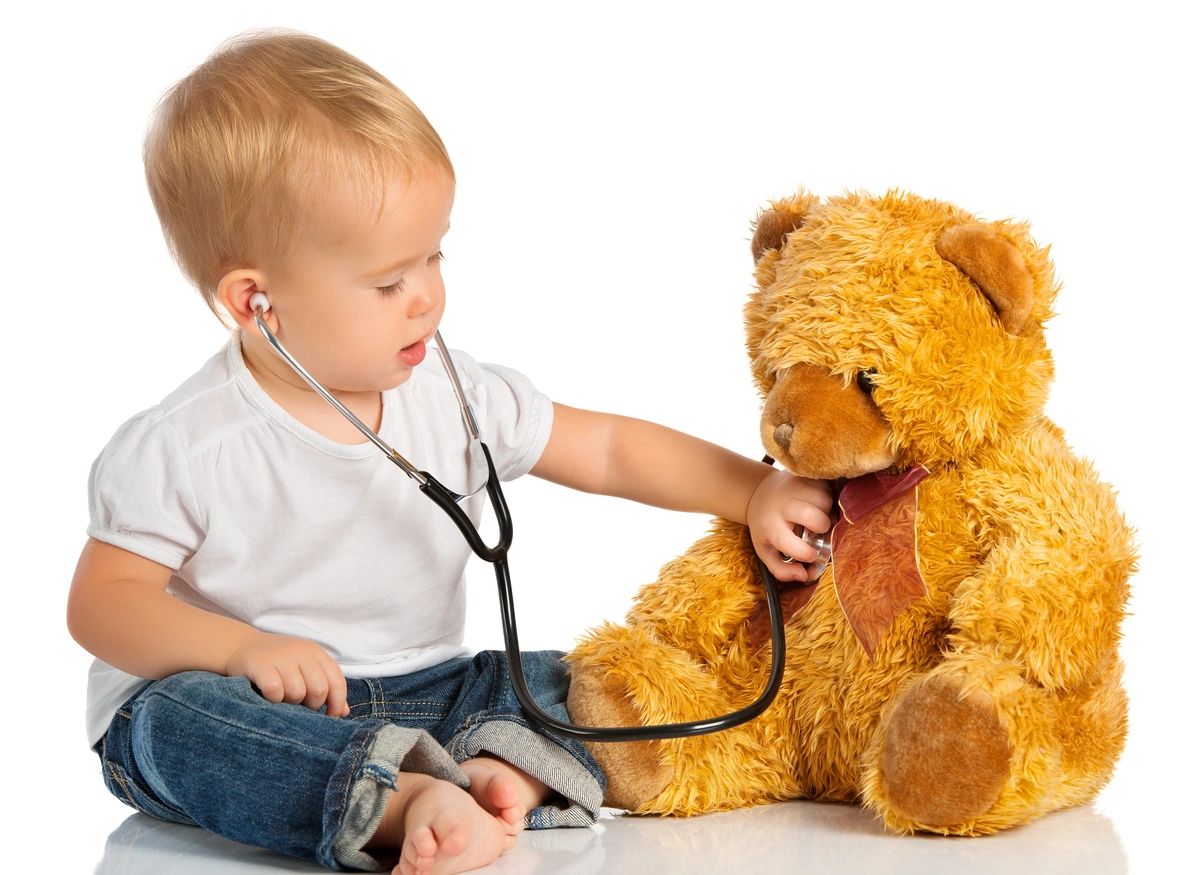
358, 793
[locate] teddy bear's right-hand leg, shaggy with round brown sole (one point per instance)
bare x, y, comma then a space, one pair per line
967, 750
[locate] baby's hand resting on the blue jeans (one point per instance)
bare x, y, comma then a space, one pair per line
294, 671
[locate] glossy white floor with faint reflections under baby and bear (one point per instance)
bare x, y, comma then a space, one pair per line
804, 837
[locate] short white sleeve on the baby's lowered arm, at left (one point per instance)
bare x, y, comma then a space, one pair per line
141, 496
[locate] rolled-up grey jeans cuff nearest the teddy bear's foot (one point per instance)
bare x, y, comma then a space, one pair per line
535, 755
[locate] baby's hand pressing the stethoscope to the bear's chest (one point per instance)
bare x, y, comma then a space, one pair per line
781, 503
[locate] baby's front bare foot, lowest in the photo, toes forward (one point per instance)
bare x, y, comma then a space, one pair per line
438, 828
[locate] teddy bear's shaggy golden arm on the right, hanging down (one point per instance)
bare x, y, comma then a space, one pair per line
1050, 589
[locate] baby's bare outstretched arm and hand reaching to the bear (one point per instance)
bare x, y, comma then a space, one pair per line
656, 466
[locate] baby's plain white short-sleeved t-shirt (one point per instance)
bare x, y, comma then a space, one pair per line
268, 522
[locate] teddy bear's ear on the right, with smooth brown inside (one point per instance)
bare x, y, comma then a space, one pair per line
996, 265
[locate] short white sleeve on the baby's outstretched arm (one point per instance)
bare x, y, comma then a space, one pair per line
516, 419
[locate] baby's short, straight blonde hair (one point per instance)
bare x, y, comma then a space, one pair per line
236, 146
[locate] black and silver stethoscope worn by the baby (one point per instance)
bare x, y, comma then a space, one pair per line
498, 557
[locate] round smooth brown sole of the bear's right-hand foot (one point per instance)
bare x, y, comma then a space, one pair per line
945, 758
